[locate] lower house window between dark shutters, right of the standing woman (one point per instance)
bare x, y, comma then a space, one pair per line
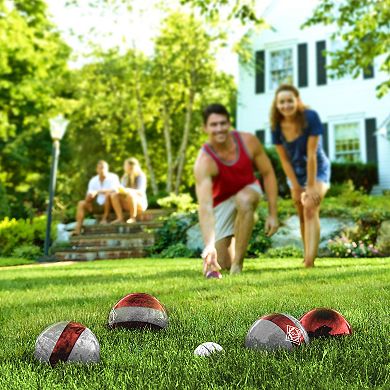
347, 142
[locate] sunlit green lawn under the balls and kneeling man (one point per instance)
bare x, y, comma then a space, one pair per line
200, 310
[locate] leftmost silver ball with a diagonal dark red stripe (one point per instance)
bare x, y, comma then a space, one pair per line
67, 342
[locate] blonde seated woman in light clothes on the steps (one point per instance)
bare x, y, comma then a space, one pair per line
131, 195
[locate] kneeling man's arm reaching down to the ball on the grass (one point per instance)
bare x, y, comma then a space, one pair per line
203, 183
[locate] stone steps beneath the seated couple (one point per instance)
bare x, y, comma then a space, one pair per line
119, 241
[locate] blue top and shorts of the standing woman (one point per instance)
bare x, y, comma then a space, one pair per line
297, 149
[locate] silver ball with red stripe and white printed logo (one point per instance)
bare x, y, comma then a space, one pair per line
275, 331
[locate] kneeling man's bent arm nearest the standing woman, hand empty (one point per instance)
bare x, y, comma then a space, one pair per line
264, 166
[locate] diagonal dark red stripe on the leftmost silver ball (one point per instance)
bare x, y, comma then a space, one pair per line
66, 342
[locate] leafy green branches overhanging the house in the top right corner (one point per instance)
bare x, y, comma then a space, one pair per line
363, 25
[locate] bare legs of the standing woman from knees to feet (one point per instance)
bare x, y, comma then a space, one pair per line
311, 212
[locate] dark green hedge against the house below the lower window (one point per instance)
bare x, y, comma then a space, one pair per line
363, 176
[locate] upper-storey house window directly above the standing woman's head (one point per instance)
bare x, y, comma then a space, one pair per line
281, 68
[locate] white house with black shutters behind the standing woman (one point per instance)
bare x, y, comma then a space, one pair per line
353, 117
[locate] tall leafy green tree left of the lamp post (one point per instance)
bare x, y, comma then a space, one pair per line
32, 58
